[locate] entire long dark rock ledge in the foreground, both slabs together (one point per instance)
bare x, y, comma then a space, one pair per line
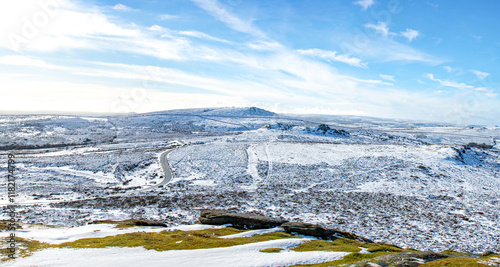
252, 221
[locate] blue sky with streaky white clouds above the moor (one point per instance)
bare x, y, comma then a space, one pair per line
420, 60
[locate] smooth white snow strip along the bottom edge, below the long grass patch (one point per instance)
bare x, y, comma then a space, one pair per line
241, 255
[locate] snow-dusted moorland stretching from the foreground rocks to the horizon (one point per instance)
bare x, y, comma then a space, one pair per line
412, 184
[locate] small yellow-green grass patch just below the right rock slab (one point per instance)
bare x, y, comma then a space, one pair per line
340, 244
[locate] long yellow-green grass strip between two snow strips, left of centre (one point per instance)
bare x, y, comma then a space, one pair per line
174, 240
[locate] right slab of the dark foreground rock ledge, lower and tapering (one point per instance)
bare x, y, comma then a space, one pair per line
319, 231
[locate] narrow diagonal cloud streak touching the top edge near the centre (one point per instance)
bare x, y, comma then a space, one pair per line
232, 21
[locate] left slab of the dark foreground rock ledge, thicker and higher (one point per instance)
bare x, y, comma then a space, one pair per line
239, 220
